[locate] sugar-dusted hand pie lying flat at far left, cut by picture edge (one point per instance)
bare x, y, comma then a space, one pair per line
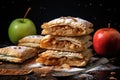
17, 54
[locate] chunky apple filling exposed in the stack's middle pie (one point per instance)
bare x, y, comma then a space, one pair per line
64, 44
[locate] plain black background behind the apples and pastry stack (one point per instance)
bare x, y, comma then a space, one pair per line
99, 12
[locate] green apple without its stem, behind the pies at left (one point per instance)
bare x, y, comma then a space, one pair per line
20, 28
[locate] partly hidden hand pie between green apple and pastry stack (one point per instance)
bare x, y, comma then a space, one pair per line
31, 41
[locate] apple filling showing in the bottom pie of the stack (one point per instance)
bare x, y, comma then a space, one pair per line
63, 60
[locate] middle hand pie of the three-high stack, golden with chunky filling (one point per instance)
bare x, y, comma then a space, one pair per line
73, 44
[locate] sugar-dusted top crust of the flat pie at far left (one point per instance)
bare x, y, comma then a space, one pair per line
16, 51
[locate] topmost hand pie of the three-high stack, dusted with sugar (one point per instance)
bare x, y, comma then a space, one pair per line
67, 26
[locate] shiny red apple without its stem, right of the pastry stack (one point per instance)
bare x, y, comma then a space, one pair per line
106, 42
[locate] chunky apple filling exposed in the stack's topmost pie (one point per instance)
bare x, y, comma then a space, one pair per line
63, 30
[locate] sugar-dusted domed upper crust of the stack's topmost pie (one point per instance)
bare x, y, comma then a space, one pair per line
74, 22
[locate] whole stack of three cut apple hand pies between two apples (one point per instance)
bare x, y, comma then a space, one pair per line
67, 42
